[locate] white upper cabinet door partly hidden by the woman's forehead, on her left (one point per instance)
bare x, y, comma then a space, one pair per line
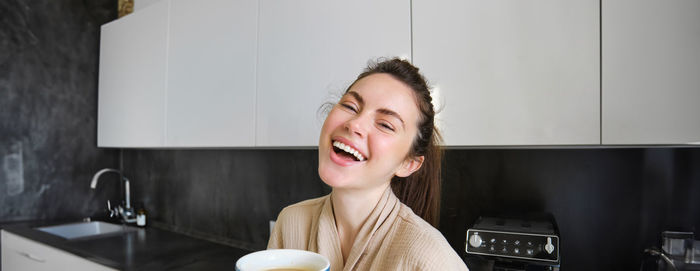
309, 51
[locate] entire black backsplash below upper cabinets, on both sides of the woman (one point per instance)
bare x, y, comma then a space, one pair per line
610, 204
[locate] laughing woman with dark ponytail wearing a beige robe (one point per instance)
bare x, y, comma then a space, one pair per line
378, 142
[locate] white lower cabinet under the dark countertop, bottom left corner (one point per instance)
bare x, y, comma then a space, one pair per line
19, 253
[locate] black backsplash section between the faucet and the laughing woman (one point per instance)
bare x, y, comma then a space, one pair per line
225, 196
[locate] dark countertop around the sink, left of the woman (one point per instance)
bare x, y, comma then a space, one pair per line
142, 249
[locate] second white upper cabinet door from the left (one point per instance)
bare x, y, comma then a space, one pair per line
211, 73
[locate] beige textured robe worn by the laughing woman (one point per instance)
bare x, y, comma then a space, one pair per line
393, 238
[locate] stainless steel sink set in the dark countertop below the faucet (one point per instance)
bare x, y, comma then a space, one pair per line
85, 229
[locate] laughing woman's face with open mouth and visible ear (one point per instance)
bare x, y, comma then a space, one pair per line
366, 137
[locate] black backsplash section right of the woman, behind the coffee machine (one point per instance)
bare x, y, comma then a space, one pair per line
610, 204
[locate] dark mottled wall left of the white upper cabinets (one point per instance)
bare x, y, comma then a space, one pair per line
48, 106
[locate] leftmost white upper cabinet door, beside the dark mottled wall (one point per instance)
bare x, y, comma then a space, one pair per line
132, 77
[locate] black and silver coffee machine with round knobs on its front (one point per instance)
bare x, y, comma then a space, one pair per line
513, 242
